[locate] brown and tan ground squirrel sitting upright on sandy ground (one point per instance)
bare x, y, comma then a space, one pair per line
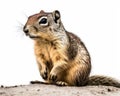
61, 56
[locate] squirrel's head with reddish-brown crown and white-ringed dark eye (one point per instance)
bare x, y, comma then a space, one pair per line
43, 25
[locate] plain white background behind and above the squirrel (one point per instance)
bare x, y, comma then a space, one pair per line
96, 22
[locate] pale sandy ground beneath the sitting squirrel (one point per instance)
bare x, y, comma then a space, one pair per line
52, 90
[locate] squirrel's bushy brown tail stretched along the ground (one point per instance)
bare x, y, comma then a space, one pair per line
103, 80
